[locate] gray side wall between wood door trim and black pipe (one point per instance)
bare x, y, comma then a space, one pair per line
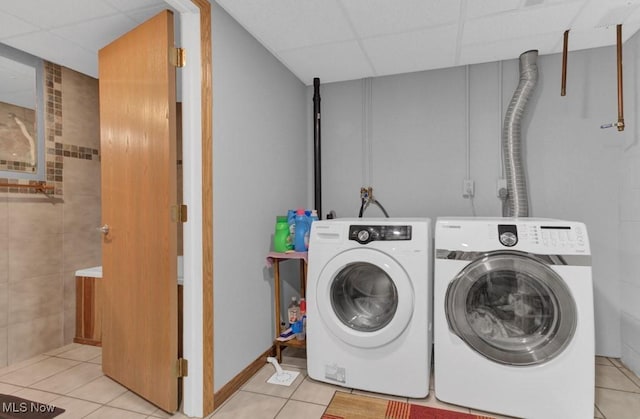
260, 170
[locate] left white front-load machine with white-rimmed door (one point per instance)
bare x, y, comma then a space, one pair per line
369, 304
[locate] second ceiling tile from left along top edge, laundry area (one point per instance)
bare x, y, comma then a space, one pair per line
380, 17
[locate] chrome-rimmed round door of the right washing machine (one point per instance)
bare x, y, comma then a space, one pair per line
512, 308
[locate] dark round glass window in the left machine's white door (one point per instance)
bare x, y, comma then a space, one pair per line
364, 297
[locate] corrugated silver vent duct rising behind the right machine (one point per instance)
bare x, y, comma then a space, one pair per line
517, 196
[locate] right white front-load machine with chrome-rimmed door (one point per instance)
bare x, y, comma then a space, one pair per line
513, 316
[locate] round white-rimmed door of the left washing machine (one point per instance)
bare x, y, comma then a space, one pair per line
364, 297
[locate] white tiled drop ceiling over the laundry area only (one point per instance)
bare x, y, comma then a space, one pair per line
352, 39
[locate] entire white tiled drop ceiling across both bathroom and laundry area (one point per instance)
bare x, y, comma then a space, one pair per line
338, 40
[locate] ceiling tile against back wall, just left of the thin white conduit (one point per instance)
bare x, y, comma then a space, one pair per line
413, 51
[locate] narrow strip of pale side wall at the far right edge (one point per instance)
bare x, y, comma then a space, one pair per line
629, 189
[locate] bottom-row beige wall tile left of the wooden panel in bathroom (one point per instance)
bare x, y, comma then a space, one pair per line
34, 337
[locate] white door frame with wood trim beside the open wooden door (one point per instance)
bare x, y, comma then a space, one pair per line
195, 27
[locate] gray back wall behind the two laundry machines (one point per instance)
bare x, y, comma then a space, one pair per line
418, 153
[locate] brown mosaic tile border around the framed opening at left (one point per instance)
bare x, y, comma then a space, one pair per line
56, 149
